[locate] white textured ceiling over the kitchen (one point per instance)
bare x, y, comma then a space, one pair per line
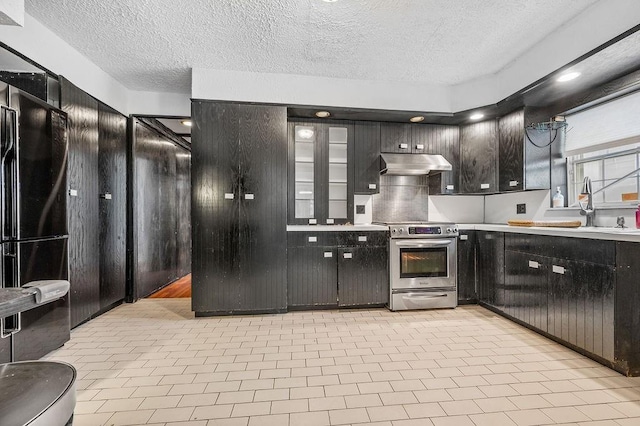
153, 44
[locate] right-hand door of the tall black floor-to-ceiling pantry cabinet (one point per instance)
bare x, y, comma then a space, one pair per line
262, 159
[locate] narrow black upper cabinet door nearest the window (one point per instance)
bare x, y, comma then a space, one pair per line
511, 152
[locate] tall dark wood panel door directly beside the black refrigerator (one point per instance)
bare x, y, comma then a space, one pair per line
83, 209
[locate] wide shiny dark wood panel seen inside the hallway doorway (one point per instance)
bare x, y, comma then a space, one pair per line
154, 207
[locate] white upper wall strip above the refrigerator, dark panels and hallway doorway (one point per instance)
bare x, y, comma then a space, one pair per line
44, 47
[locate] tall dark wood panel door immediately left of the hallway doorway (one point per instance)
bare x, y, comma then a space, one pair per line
112, 168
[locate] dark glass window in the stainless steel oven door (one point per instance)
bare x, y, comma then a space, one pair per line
423, 262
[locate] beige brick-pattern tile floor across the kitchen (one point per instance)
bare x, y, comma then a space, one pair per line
153, 363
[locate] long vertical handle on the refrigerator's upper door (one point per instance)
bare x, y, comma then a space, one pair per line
9, 171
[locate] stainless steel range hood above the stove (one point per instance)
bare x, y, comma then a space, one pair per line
413, 164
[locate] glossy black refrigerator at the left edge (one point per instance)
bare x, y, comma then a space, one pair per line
33, 211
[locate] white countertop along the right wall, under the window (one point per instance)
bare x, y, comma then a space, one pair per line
594, 233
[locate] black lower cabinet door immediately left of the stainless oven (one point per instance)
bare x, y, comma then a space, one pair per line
363, 276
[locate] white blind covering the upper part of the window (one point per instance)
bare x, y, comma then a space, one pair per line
614, 123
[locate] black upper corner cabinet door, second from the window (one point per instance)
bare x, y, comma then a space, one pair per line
478, 144
